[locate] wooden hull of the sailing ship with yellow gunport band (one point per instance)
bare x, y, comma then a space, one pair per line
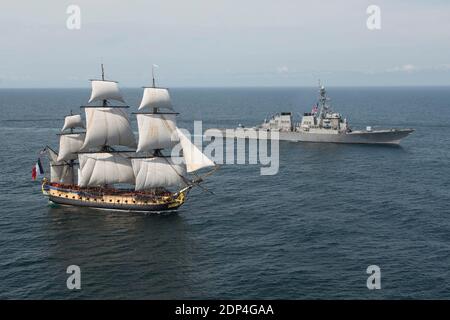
124, 201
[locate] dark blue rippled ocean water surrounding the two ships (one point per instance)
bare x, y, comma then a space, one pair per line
308, 232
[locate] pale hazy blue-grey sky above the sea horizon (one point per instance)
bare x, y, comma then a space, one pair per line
225, 43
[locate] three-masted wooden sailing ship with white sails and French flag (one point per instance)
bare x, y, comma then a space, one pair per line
105, 167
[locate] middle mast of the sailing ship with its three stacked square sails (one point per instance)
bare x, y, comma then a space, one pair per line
107, 126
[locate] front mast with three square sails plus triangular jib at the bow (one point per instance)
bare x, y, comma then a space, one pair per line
158, 131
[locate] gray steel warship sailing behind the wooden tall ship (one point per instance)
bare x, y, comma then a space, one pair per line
322, 124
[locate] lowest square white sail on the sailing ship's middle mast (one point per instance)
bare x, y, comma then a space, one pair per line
100, 169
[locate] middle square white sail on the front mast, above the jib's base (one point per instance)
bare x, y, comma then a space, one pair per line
156, 131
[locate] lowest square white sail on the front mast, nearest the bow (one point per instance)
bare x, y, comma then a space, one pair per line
157, 172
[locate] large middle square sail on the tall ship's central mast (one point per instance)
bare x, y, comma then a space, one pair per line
108, 126
